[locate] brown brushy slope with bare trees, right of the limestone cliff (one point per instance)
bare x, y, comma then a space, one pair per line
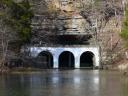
106, 16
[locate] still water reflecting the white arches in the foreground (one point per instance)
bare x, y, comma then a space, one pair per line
64, 83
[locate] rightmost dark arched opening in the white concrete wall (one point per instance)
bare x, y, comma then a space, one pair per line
86, 60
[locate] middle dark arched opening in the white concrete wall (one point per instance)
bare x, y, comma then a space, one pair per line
66, 60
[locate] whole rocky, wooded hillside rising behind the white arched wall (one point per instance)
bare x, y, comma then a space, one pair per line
42, 23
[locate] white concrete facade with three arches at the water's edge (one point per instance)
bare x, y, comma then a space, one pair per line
76, 51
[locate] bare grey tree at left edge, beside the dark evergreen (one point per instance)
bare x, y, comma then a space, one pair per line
7, 36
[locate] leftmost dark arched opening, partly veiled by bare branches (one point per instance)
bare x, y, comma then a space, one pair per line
44, 60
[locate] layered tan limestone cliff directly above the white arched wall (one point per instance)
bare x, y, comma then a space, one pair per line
59, 17
